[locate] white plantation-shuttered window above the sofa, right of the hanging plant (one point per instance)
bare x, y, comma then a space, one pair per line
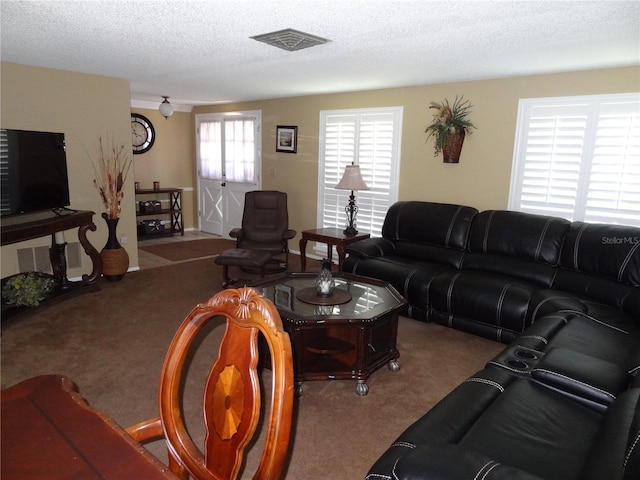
578, 158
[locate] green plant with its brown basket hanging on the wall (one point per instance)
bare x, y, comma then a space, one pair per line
449, 127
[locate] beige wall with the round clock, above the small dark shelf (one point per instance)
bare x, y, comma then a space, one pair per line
171, 159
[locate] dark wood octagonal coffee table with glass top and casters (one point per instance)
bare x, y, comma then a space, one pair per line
347, 340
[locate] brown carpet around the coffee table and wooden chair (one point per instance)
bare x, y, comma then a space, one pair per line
112, 344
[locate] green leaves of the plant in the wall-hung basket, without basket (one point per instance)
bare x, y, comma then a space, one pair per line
449, 120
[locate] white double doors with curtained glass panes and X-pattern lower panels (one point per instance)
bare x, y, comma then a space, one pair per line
228, 150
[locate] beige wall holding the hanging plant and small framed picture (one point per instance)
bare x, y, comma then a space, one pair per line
481, 179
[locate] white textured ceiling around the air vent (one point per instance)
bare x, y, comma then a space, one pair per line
200, 52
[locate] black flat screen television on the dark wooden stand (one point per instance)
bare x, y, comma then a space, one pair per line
33, 172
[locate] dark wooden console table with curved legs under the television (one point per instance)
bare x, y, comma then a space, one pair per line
39, 224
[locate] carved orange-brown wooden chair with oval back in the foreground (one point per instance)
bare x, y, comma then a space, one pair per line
232, 400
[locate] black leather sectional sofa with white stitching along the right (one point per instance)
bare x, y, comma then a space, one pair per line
562, 401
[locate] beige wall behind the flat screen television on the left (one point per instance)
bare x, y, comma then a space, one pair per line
84, 108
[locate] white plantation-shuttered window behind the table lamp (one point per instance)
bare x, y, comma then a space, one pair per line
369, 138
